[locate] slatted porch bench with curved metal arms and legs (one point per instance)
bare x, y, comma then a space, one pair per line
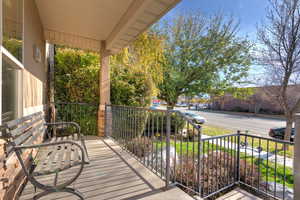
53, 155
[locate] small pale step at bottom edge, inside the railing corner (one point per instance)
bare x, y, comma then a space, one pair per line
239, 194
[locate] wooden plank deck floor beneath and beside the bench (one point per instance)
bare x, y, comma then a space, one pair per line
112, 174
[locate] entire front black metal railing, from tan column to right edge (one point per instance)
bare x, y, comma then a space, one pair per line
170, 144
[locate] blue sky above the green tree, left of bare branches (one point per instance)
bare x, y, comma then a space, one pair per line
250, 13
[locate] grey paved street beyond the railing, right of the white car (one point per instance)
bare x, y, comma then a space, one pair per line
255, 125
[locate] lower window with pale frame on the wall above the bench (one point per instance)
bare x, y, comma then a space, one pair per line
10, 90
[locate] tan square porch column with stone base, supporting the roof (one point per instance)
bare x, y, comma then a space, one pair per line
104, 87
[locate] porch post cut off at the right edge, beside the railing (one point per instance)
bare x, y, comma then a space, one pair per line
297, 158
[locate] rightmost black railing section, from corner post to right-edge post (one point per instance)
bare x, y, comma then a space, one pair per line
266, 166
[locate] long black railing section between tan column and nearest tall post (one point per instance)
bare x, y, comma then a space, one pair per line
143, 133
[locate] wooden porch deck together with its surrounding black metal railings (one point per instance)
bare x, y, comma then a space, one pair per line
140, 155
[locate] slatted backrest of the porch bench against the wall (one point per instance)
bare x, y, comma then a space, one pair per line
23, 131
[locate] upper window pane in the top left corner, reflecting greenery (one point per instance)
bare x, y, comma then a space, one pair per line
13, 27
